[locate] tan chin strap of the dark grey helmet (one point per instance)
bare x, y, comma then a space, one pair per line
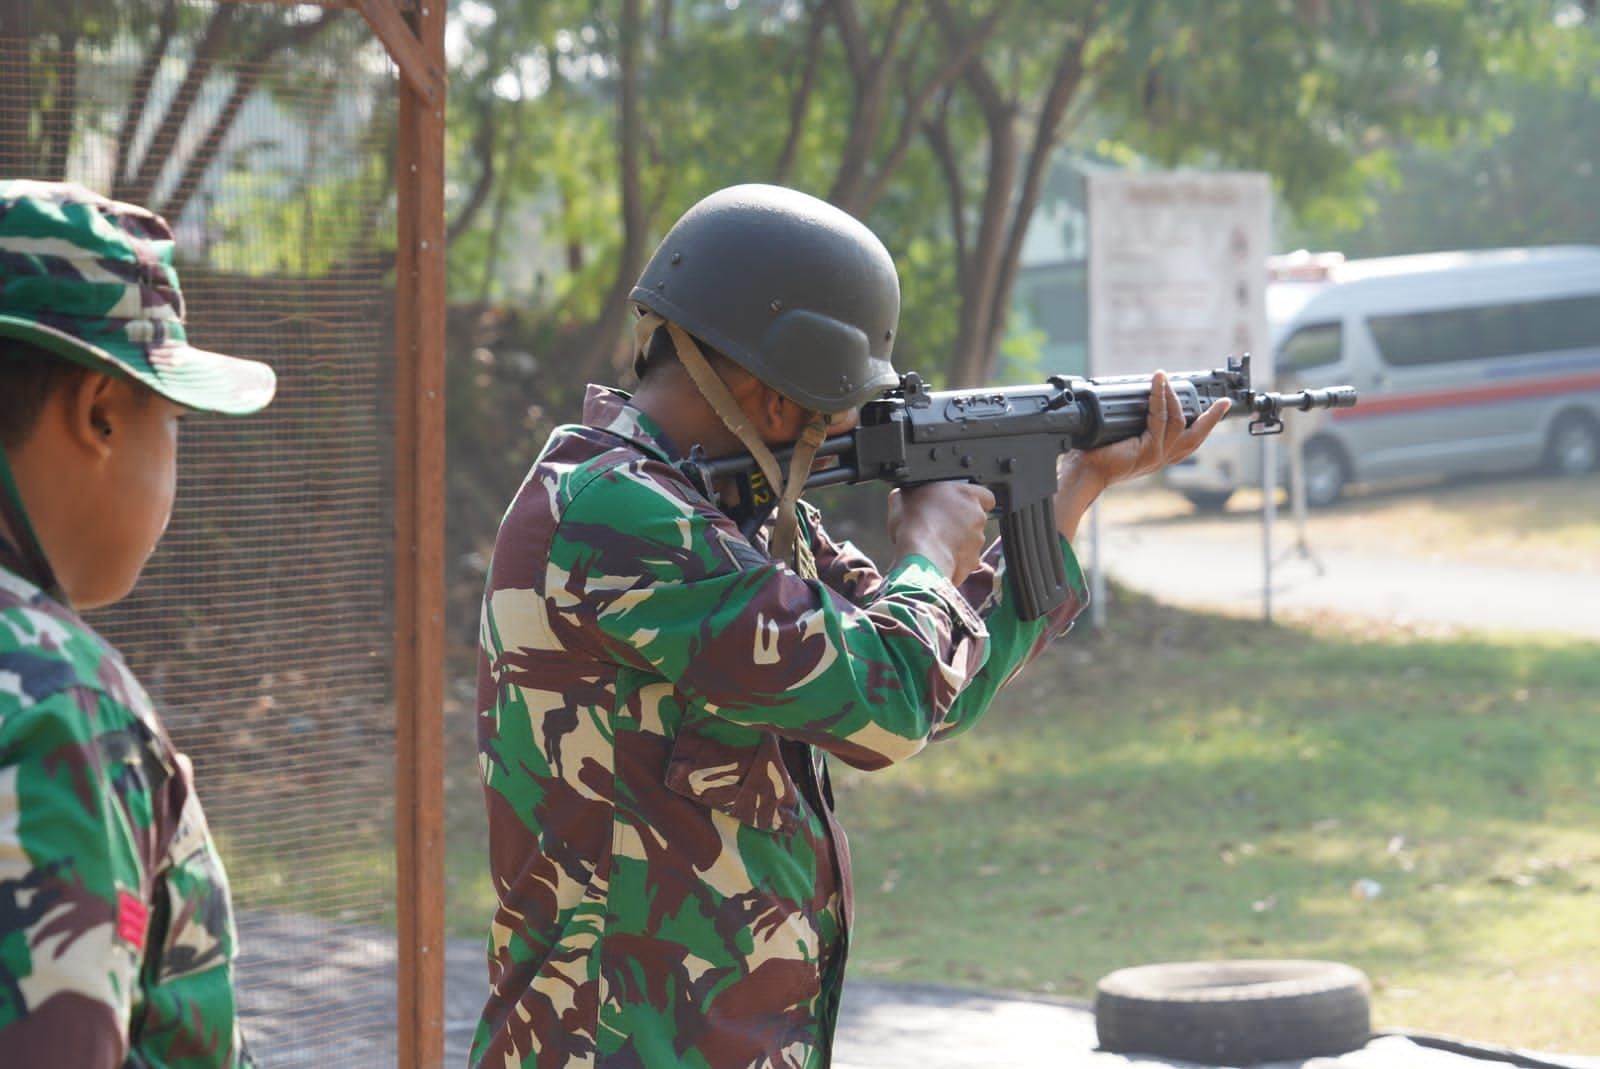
786, 545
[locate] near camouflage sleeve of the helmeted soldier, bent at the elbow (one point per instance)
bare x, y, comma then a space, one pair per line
670, 583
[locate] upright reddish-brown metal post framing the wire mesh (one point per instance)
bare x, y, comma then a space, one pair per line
414, 34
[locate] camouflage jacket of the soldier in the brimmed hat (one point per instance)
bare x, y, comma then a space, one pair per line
116, 929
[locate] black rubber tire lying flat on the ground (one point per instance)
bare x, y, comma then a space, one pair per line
1234, 1012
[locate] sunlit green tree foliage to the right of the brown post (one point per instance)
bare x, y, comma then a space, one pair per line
1326, 97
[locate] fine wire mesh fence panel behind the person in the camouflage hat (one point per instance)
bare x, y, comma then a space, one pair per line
265, 623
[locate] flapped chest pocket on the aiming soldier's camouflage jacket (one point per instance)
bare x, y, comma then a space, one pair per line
748, 782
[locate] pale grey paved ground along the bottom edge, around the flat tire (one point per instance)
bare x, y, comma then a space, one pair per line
322, 996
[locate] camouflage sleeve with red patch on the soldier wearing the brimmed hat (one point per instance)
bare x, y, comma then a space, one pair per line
73, 903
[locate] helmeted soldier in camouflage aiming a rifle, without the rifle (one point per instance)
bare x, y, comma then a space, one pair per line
658, 692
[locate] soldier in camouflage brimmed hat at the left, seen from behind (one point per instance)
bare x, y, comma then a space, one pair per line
116, 926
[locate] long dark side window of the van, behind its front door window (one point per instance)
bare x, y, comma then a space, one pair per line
1490, 330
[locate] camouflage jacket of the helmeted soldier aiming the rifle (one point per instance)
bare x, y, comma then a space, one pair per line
654, 697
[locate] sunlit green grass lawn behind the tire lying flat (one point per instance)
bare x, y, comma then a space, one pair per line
1196, 788
